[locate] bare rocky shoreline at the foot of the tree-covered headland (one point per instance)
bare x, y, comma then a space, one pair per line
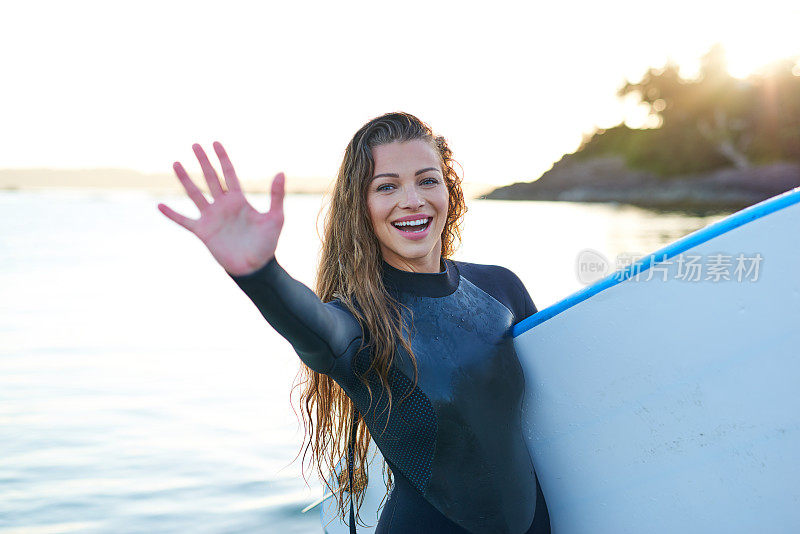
608, 179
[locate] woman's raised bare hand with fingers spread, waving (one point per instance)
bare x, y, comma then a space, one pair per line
240, 238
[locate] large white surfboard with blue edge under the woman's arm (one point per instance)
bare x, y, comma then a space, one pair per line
662, 397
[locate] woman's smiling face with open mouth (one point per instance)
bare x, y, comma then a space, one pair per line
408, 188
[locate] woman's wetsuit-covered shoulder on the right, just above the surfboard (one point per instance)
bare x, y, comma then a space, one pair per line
502, 284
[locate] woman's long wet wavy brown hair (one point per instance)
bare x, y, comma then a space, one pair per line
350, 270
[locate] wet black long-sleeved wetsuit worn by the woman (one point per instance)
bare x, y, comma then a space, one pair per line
455, 444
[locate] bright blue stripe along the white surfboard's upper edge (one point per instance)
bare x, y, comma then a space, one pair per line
749, 214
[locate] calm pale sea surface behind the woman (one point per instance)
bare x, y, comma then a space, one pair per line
141, 391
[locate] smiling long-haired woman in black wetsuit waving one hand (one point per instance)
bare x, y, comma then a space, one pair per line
400, 343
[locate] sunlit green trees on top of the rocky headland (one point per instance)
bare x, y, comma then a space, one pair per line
711, 122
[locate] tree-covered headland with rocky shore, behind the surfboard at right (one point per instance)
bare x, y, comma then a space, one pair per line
715, 142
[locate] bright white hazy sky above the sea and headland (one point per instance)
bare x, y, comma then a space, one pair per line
284, 85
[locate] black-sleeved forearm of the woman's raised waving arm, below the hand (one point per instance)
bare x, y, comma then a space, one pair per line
318, 332
